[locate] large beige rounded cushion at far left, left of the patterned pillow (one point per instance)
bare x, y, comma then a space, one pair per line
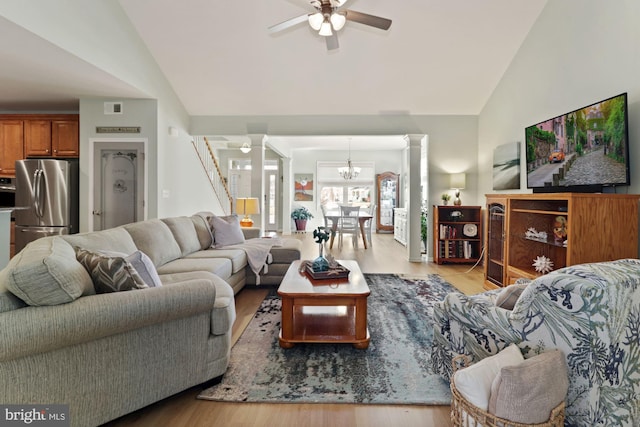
46, 272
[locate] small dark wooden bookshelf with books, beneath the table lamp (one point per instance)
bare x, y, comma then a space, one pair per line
457, 232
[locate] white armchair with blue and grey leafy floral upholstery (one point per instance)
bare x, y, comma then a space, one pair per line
590, 312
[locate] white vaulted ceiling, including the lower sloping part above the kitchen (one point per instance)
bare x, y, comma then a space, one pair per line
438, 57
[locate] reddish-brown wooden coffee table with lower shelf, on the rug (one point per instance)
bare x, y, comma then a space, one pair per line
322, 311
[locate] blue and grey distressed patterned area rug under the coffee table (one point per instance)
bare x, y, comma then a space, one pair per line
395, 369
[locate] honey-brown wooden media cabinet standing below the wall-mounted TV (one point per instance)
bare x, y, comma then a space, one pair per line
594, 228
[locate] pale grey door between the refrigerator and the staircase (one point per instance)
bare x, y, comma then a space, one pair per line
118, 184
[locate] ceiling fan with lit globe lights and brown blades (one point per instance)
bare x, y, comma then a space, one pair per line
329, 19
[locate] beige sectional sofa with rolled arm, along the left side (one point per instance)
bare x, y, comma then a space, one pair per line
110, 354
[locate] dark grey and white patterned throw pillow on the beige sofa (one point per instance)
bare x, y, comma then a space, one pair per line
110, 273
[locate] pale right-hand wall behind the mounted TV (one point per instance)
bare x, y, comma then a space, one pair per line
577, 53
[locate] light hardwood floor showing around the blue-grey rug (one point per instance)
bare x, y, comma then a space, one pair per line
385, 256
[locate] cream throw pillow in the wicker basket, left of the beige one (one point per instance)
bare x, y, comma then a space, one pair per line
474, 382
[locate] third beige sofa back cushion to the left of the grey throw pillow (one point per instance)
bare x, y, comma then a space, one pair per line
154, 238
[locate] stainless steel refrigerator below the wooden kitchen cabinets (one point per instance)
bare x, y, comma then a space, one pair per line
46, 199
